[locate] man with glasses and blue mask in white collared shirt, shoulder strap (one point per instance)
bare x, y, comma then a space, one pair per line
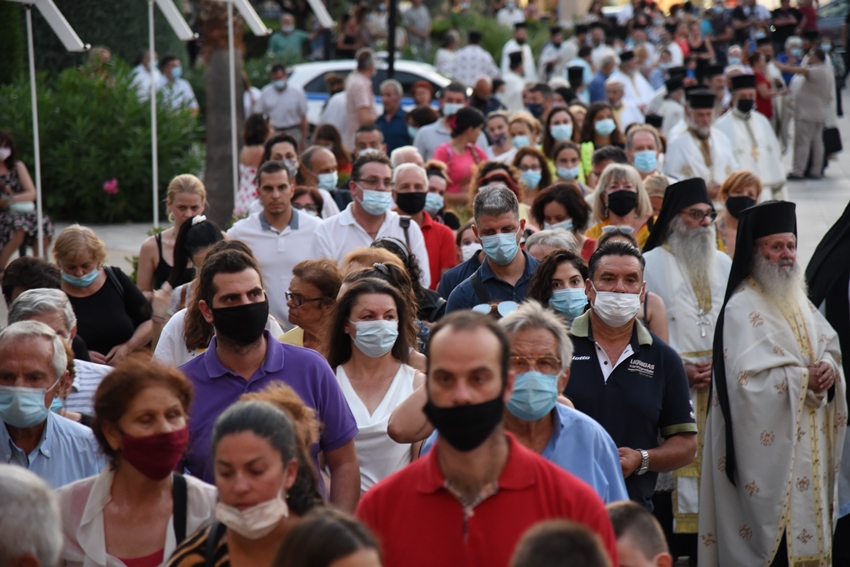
370, 216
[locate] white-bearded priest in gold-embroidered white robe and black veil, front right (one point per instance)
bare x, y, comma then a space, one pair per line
776, 421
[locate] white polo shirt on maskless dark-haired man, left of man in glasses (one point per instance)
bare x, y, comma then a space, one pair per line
277, 253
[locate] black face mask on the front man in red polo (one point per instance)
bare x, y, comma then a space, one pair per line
466, 427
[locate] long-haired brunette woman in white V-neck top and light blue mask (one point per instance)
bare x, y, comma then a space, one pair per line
369, 340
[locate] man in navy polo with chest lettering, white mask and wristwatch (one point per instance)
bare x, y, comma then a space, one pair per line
626, 378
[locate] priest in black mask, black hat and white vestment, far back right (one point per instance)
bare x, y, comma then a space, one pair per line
752, 136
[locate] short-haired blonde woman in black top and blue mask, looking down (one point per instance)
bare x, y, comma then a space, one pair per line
113, 316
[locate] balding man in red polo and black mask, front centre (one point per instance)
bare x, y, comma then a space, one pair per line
468, 502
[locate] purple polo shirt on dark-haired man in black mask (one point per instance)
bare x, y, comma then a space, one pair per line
217, 388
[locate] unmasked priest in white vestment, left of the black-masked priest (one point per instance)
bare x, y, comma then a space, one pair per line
702, 150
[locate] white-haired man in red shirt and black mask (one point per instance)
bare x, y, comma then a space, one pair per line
410, 193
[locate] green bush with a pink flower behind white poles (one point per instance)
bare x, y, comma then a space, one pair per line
93, 131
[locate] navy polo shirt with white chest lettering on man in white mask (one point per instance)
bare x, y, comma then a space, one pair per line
645, 396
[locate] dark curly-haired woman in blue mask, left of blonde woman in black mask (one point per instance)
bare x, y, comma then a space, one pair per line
562, 206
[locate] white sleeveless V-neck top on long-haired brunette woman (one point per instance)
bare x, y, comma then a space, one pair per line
379, 455
